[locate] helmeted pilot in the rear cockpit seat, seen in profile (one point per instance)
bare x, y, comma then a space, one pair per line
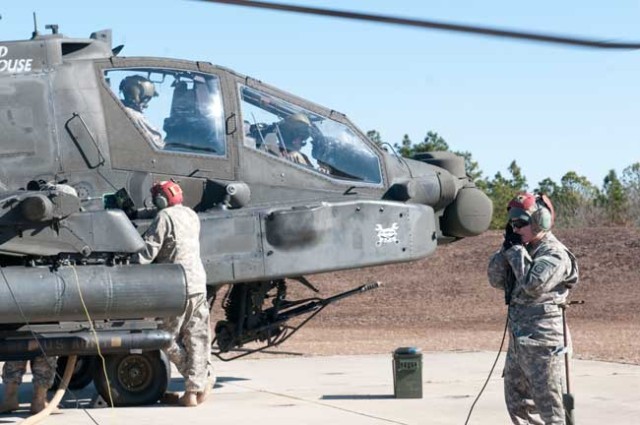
137, 91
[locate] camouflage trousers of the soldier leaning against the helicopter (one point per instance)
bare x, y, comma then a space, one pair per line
191, 344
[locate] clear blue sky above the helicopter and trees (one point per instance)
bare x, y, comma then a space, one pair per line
552, 109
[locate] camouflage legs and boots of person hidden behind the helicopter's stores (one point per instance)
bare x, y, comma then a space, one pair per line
43, 370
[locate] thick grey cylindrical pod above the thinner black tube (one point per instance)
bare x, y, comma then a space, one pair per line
42, 295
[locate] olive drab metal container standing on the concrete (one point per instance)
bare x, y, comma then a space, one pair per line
407, 372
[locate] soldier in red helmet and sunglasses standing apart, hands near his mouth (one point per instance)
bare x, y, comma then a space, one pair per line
536, 271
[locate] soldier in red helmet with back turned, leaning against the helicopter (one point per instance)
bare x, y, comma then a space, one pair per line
173, 237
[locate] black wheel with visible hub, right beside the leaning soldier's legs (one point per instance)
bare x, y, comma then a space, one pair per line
135, 379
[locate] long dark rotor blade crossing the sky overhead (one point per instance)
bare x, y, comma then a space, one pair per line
469, 29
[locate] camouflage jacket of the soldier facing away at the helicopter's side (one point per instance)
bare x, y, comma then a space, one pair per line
174, 237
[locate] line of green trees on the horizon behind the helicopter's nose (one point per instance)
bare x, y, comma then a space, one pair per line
577, 201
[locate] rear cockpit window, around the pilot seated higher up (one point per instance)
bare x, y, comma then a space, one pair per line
176, 110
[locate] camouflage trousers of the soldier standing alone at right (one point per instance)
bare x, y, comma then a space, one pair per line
533, 384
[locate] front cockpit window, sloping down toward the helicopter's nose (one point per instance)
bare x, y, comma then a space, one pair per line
307, 139
